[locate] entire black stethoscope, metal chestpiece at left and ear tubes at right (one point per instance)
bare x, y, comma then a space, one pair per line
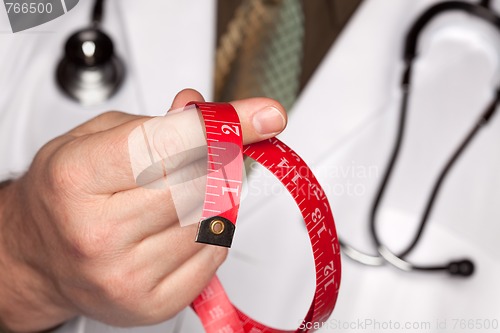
90, 73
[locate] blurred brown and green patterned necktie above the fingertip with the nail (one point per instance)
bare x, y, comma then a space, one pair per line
261, 52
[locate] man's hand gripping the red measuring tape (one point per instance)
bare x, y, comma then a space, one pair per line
79, 236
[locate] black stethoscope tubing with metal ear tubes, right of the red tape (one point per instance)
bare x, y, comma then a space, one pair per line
462, 267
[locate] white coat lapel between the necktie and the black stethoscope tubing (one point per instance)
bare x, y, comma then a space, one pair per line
355, 81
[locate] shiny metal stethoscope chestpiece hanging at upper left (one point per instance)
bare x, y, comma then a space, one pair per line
90, 72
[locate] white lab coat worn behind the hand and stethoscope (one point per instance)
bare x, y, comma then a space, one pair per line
343, 125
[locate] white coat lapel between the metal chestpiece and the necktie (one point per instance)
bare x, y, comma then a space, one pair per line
169, 51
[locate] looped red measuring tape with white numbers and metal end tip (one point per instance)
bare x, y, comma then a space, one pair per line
220, 210
